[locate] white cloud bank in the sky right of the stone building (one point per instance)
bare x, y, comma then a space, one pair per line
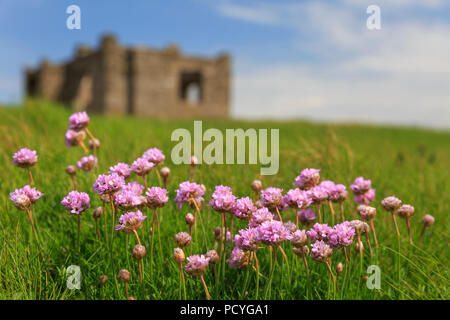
399, 74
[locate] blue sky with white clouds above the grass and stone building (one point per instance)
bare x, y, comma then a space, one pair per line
291, 59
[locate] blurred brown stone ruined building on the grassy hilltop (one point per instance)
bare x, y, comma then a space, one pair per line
142, 81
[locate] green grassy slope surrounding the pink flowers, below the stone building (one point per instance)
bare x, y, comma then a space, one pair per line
413, 164
